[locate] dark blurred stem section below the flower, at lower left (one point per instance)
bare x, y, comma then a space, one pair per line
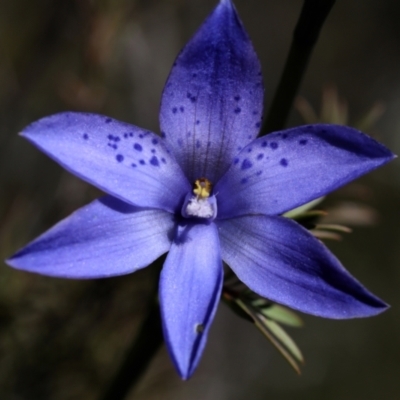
138, 357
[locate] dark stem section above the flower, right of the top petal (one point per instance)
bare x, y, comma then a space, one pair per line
312, 17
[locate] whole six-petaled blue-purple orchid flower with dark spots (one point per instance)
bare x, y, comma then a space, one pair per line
206, 191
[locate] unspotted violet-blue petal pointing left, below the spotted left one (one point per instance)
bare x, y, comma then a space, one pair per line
105, 238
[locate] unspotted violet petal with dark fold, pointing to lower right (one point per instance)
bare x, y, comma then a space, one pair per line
278, 259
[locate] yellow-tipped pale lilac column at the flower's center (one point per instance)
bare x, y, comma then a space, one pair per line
200, 203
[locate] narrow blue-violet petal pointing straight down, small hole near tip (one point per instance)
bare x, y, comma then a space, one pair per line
190, 288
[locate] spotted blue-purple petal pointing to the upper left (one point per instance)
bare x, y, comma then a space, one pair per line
121, 159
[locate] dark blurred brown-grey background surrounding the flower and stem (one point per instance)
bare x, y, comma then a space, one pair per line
64, 339
